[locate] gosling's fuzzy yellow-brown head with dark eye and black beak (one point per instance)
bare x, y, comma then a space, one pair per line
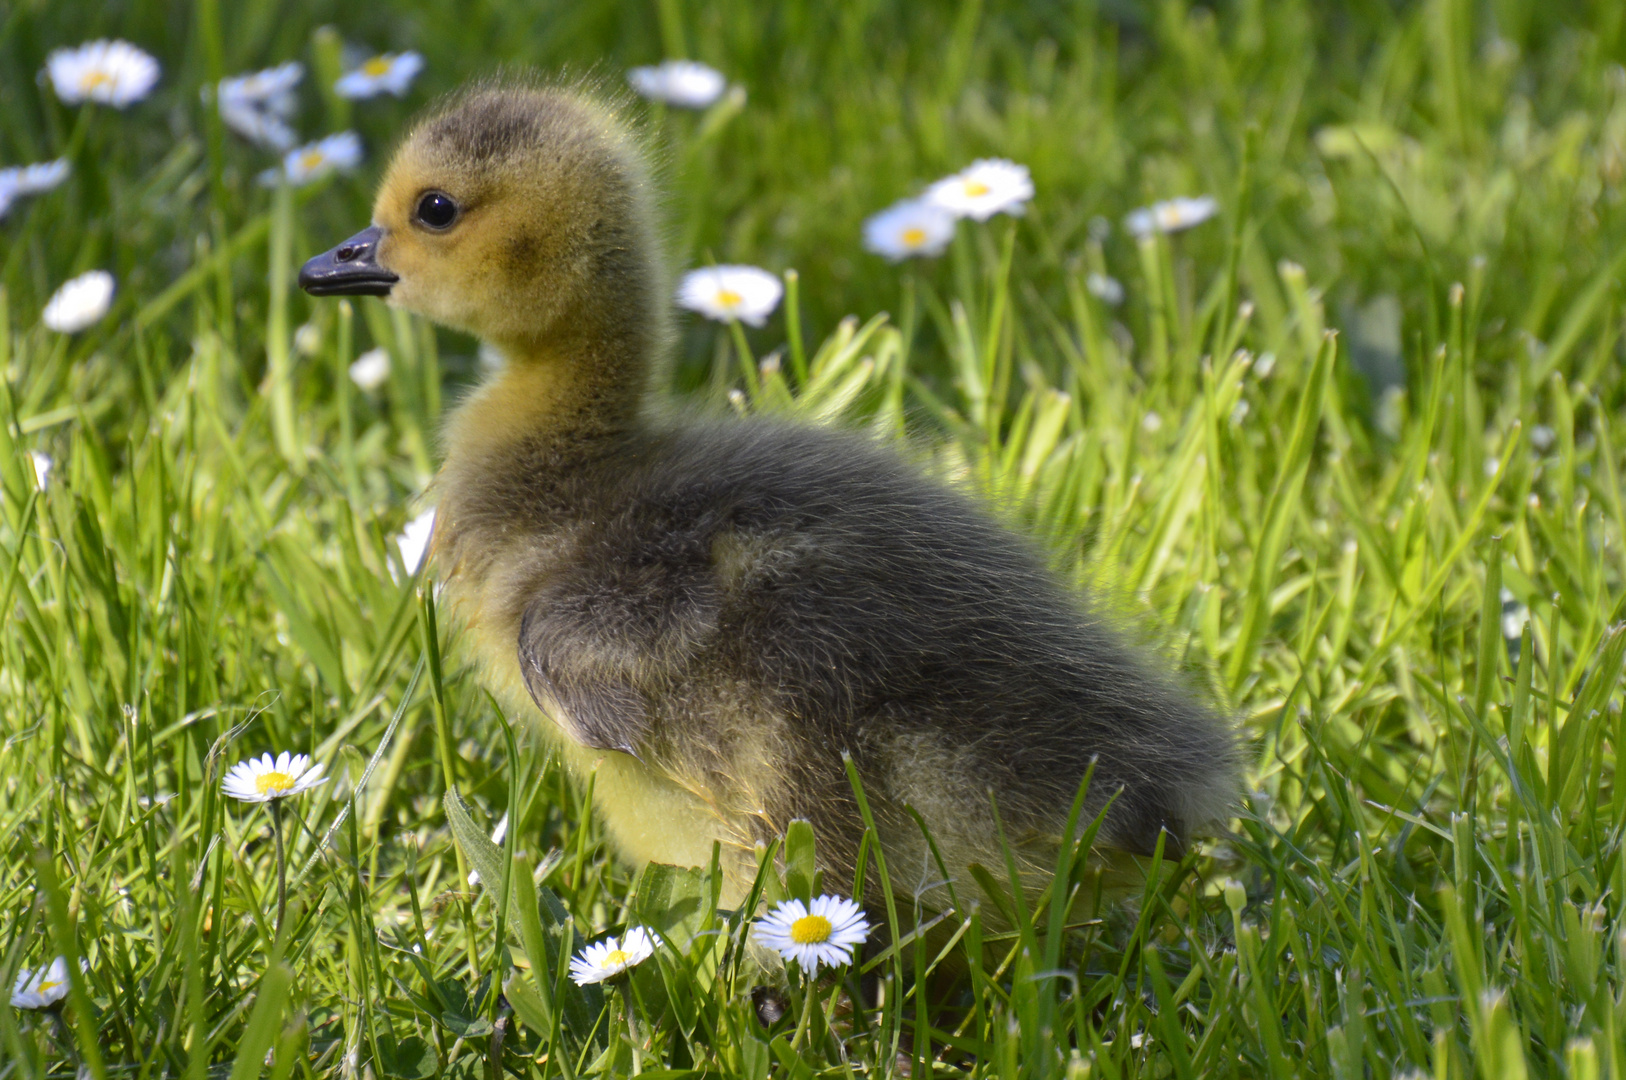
518, 214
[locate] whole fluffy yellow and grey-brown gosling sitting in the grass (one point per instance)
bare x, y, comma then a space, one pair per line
713, 614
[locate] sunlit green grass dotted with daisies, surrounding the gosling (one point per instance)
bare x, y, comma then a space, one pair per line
1428, 873
